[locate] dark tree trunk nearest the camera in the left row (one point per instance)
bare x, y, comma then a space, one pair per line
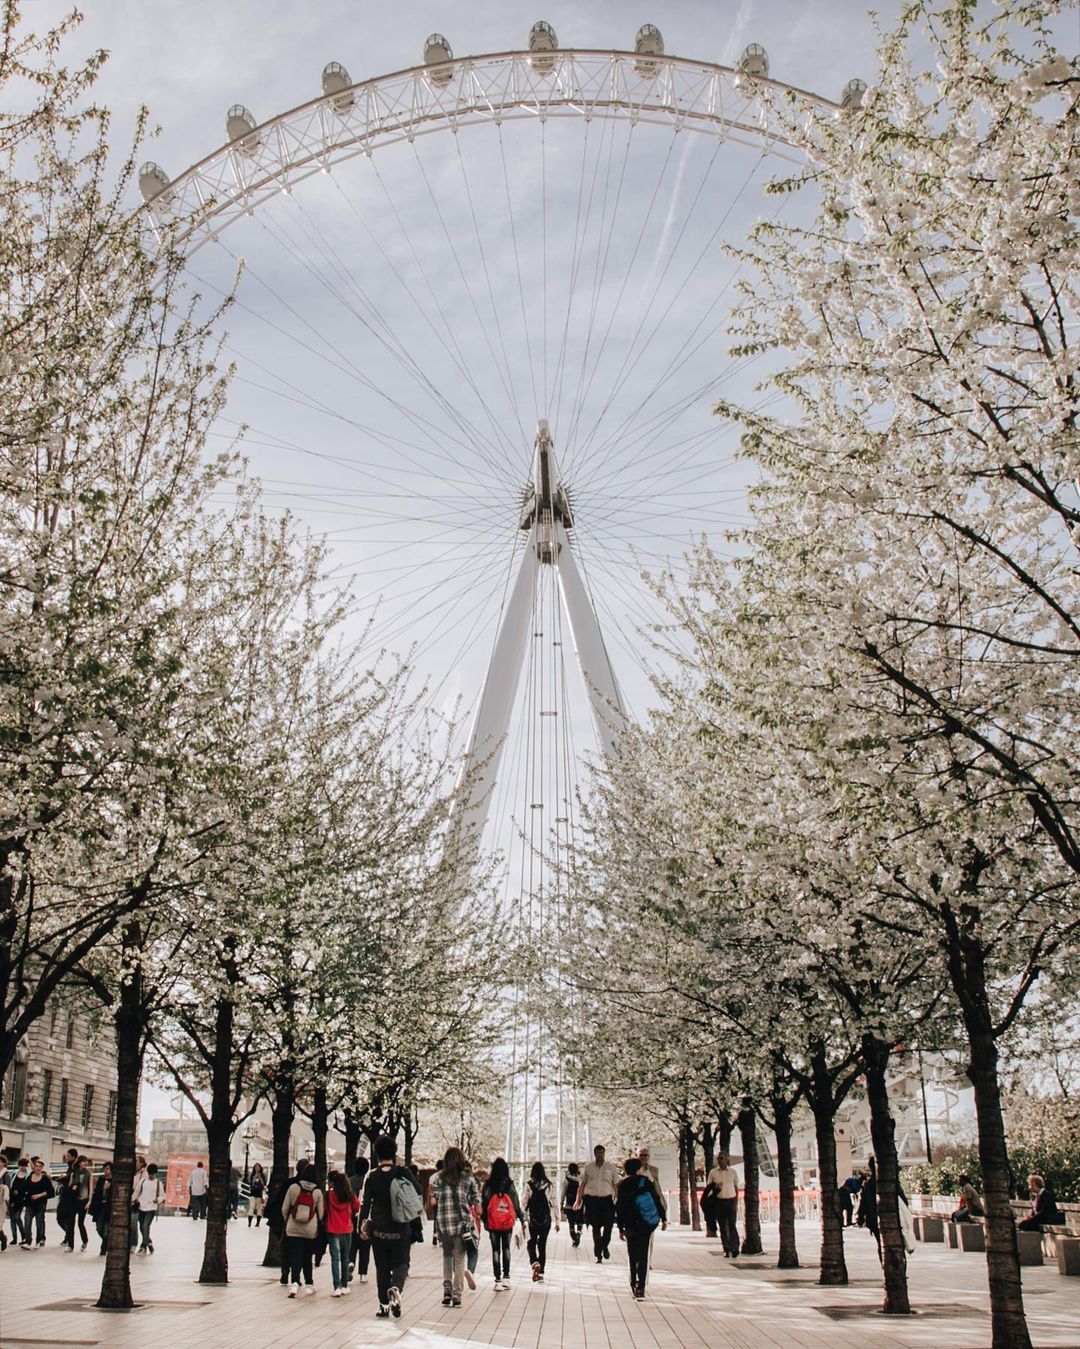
117, 1280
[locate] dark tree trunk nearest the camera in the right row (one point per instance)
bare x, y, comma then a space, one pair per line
1007, 1296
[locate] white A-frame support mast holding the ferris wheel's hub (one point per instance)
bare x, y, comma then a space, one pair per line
547, 517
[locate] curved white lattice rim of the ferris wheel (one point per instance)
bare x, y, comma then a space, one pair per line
676, 92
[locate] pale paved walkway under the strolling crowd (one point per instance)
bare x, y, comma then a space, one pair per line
696, 1301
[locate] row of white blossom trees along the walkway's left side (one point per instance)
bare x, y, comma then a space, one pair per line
212, 818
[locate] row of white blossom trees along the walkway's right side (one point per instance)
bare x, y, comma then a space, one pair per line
854, 824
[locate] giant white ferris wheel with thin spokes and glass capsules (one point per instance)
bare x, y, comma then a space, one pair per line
478, 338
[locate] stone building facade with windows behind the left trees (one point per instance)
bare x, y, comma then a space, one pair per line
61, 1091
